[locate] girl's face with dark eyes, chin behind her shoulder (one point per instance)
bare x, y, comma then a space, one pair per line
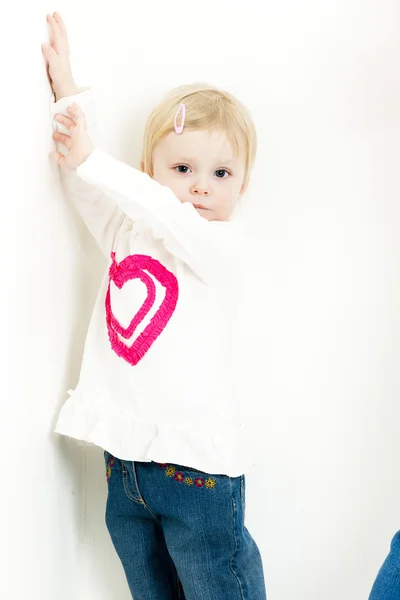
200, 167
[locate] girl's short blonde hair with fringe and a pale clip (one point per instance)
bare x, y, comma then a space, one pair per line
207, 108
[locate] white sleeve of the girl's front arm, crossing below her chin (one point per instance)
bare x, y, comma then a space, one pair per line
208, 248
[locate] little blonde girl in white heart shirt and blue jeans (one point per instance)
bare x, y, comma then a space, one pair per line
156, 389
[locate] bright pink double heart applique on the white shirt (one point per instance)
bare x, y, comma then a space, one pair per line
139, 266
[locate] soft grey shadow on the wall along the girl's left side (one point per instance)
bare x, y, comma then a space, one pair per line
100, 572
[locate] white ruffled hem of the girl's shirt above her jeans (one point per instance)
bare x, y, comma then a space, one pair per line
224, 450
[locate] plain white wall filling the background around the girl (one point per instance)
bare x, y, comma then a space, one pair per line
323, 82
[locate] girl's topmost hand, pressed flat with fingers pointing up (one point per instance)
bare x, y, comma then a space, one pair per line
57, 55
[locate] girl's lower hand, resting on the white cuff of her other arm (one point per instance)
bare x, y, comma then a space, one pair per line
79, 147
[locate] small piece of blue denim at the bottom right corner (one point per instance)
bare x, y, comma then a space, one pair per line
387, 583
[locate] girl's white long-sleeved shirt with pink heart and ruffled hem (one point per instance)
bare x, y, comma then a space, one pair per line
157, 381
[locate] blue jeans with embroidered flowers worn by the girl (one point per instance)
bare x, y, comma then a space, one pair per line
180, 533
